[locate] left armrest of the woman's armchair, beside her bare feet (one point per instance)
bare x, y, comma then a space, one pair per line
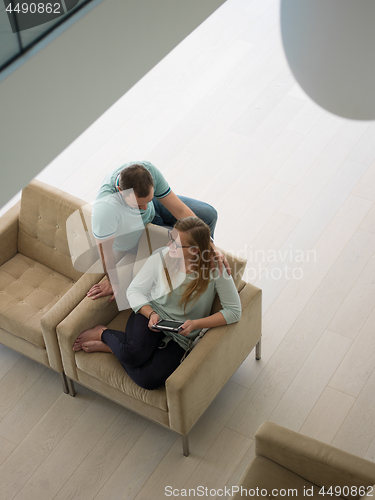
87, 314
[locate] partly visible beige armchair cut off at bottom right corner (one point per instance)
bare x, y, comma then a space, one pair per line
289, 464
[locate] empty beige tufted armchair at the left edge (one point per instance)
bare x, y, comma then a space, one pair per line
38, 284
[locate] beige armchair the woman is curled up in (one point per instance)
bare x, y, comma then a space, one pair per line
198, 379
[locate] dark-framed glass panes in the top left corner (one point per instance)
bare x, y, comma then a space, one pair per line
25, 23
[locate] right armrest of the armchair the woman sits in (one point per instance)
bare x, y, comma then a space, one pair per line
205, 371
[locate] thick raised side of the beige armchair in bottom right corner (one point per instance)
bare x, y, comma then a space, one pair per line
318, 462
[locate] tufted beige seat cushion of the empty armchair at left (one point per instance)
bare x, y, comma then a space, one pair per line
28, 290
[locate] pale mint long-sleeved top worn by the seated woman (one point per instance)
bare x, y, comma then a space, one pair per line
150, 286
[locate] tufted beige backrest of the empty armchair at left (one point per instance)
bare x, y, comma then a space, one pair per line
42, 226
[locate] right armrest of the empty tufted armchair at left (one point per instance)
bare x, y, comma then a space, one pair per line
60, 311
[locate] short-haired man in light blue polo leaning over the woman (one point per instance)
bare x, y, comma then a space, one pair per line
129, 198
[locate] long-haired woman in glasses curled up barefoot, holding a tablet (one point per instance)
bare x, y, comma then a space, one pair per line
176, 283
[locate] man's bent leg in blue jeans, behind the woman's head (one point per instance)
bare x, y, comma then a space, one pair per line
204, 211
